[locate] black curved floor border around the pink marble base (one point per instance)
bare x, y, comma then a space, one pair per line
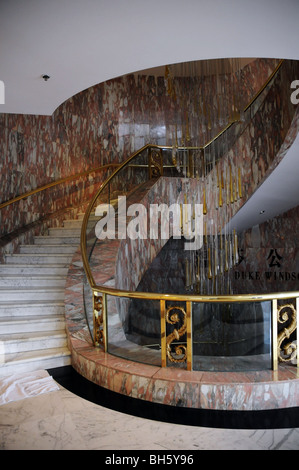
68, 378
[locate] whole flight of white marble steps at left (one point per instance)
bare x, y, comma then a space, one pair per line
32, 312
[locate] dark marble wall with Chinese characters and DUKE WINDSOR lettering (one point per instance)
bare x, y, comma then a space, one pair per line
269, 256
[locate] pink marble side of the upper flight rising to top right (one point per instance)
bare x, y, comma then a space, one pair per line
259, 149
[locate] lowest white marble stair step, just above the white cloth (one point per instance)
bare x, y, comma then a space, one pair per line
34, 360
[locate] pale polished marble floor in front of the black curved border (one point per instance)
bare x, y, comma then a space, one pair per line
61, 420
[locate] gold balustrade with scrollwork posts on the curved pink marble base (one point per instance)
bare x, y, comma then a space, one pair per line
174, 351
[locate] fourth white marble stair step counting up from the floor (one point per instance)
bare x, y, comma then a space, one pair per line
32, 308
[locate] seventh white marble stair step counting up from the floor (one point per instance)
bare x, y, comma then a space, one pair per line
38, 269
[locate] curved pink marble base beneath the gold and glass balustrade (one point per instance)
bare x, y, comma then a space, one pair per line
261, 390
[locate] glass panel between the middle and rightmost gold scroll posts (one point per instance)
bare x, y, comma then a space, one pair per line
231, 336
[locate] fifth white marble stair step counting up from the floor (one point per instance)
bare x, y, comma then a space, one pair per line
29, 293
